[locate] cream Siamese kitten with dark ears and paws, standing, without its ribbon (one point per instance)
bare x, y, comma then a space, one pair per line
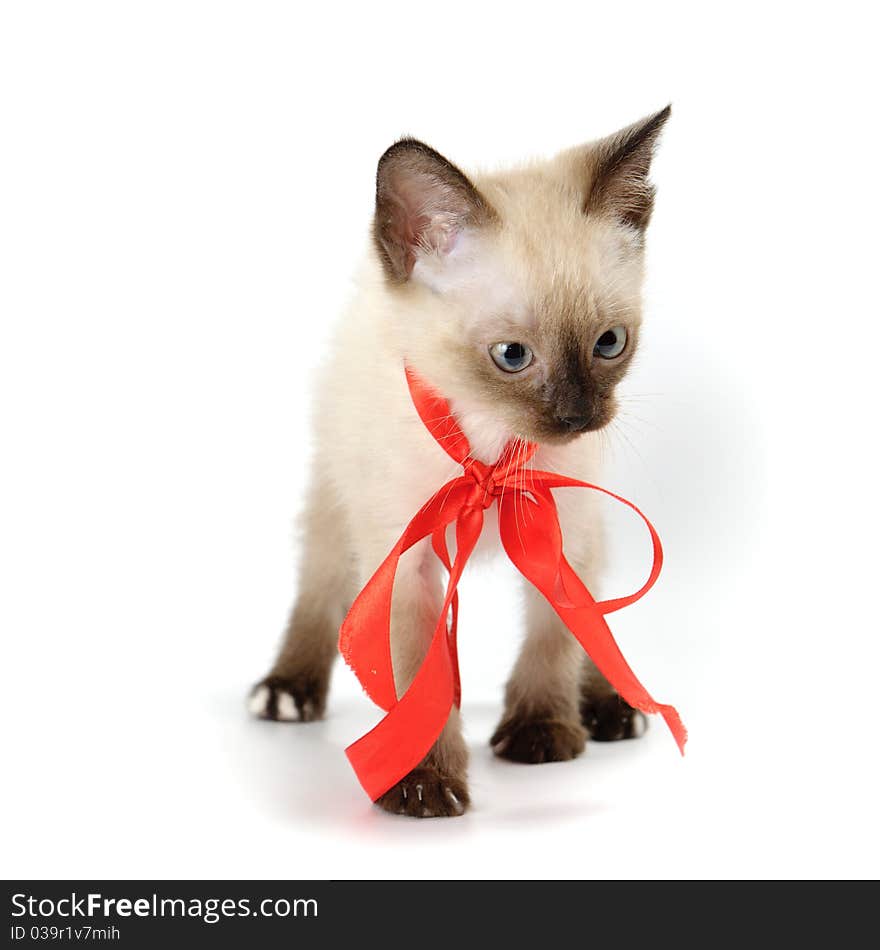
516, 295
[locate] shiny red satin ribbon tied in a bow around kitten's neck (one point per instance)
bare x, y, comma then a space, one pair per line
529, 526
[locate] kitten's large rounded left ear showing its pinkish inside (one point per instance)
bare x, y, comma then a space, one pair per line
423, 202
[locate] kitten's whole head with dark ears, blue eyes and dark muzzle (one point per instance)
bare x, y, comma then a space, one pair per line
520, 291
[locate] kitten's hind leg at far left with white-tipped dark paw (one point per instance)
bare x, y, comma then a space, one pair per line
296, 688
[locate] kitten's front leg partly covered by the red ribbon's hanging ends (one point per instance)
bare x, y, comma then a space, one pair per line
437, 787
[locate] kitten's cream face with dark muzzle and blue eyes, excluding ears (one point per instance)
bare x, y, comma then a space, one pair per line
539, 321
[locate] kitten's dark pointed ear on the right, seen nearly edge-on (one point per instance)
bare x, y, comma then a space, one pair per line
618, 172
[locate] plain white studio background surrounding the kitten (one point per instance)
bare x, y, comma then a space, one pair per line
184, 191
